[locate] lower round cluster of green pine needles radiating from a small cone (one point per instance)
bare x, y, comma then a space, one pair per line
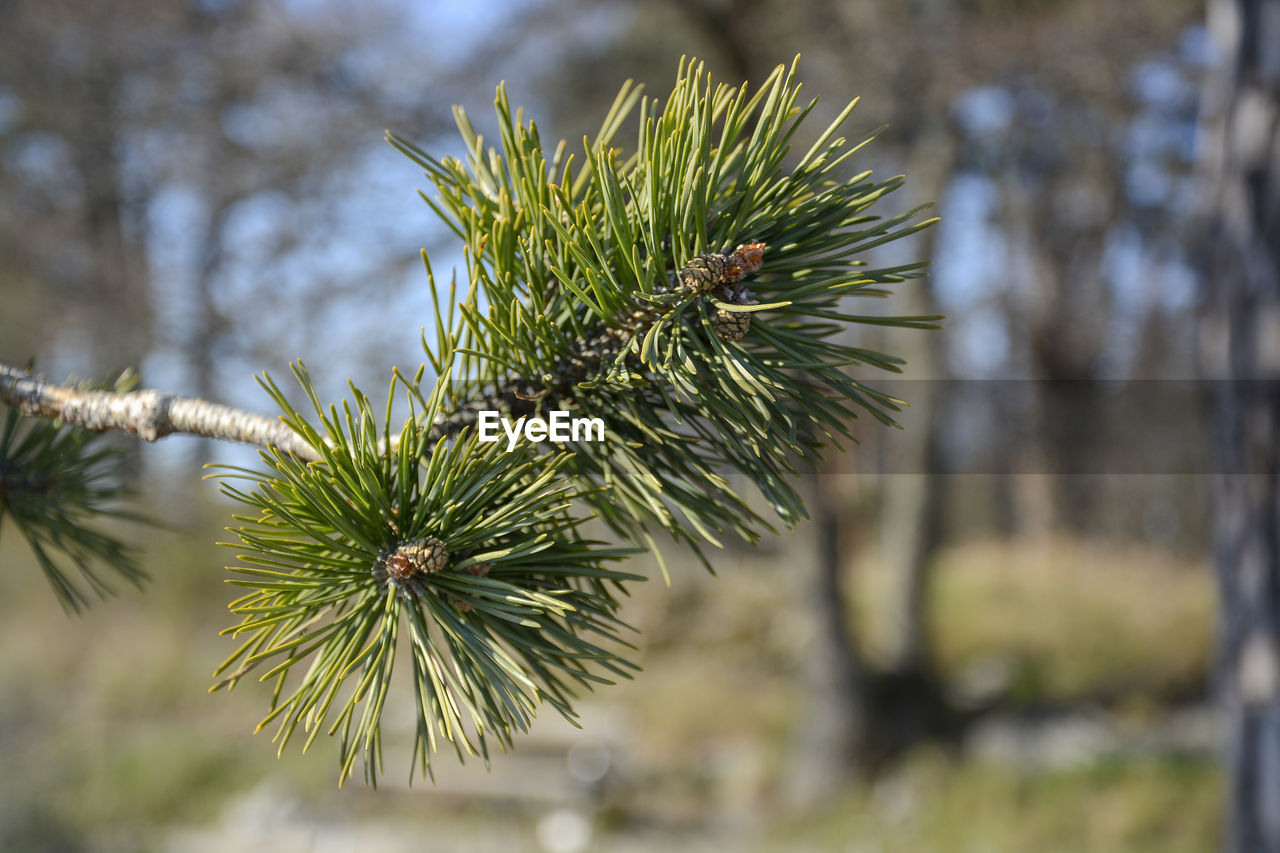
524, 613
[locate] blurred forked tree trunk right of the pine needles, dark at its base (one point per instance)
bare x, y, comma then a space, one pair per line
860, 717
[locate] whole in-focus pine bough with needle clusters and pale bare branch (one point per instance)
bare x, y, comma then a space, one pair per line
689, 294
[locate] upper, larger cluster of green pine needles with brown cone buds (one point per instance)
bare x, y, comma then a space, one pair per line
579, 276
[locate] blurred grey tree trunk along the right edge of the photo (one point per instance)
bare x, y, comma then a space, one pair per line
1240, 346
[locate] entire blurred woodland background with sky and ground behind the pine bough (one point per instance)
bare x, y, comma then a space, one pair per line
998, 631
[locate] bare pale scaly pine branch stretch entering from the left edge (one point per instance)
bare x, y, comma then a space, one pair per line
148, 414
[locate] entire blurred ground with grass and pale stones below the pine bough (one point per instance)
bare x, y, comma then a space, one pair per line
1092, 659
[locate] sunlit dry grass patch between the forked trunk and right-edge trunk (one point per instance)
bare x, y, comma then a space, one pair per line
1064, 621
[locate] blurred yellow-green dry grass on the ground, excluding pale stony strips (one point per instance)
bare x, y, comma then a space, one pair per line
109, 738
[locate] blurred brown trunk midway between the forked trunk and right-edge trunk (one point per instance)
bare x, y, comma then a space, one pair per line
1058, 211
